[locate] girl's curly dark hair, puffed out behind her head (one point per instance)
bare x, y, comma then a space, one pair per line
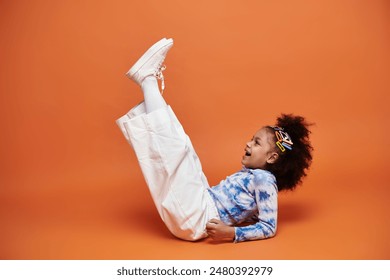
292, 165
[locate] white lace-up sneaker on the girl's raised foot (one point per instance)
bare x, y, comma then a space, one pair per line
151, 63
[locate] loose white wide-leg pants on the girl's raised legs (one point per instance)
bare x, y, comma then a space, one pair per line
172, 170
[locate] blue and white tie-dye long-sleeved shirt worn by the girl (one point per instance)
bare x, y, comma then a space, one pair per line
249, 196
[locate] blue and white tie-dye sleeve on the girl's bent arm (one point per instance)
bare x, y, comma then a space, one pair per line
267, 203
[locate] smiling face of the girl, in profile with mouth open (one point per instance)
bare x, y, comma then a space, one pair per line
260, 151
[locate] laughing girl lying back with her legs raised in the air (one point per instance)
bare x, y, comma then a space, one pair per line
243, 206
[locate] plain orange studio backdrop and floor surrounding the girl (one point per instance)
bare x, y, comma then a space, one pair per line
71, 187
